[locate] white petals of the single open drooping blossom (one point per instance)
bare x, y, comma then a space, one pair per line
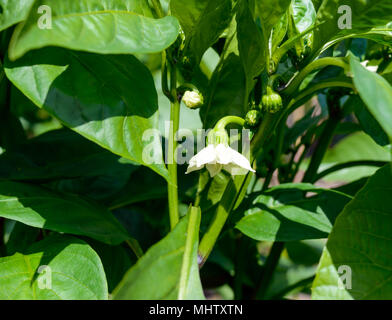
218, 157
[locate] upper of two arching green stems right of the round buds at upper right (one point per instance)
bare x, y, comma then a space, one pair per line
294, 84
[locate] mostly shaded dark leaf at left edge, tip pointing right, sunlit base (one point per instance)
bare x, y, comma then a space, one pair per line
39, 207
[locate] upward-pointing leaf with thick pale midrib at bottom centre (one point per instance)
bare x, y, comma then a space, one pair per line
169, 270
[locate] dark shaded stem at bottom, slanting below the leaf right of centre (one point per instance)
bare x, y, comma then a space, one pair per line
269, 268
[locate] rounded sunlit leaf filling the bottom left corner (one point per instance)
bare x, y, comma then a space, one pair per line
57, 268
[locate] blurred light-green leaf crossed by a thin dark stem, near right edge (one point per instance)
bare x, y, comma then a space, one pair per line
355, 147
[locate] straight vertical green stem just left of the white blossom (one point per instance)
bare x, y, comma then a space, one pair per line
172, 149
